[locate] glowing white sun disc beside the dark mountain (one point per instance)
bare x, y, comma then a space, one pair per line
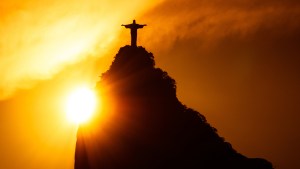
81, 105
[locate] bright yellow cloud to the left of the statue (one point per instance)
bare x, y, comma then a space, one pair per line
38, 38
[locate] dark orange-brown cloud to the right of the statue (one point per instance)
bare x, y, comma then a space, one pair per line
214, 20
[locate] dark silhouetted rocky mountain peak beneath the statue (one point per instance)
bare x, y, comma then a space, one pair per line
144, 126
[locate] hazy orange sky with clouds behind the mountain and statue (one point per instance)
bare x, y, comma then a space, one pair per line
237, 62
